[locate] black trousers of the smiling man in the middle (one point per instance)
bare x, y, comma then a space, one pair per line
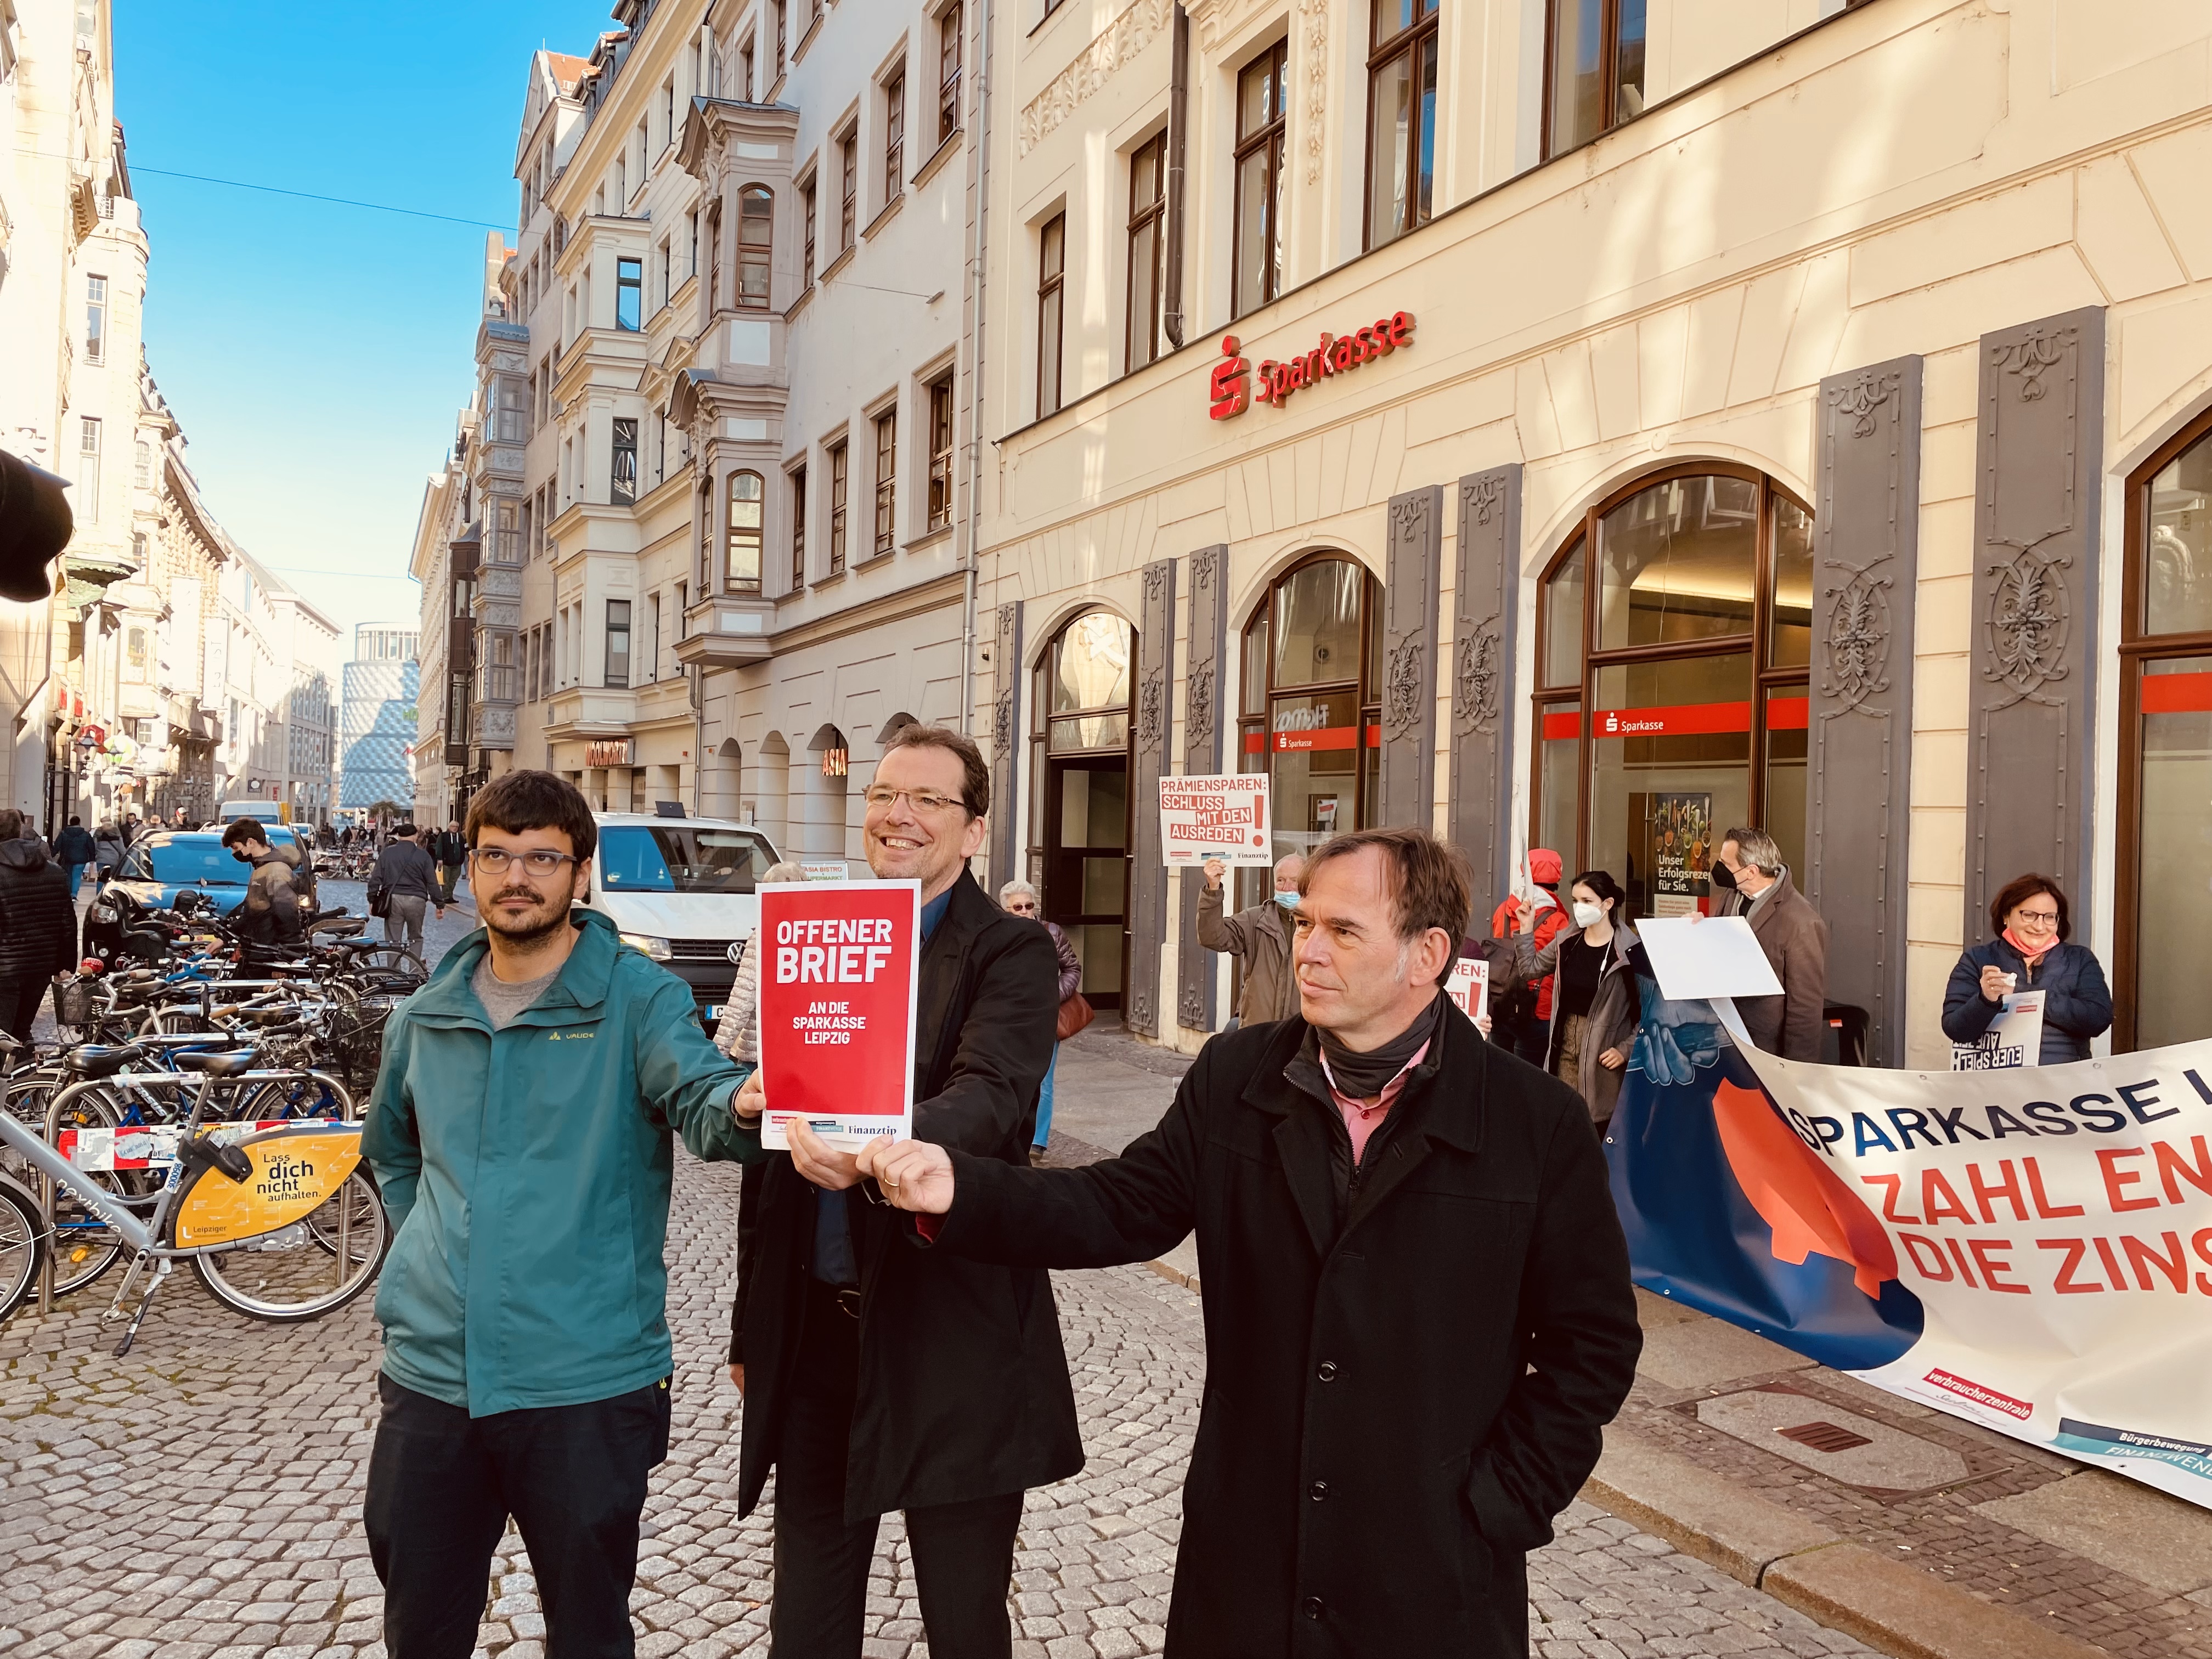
963, 1554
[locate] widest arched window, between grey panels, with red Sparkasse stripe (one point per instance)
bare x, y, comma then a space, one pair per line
1680, 612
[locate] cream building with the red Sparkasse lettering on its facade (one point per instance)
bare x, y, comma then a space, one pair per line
1580, 424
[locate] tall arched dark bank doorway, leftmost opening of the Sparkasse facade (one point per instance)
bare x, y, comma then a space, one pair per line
1081, 820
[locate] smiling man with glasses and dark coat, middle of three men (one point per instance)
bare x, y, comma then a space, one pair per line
881, 1377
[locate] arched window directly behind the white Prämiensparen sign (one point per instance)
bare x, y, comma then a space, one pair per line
1311, 713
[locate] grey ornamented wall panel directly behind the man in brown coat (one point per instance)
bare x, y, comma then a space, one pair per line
1861, 693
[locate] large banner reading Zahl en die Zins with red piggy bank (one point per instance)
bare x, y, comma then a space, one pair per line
2027, 1249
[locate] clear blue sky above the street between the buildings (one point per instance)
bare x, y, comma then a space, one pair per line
317, 355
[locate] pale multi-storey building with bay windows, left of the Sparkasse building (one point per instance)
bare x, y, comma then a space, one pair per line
720, 415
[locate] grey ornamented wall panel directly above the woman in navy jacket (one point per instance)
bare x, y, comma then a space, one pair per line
2041, 455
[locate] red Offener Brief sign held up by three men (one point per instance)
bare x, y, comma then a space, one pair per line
837, 1008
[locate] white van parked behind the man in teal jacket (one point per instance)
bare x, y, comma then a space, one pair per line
682, 890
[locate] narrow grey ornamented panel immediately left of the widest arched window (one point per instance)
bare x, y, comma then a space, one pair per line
1483, 598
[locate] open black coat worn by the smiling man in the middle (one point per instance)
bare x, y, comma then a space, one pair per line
963, 1379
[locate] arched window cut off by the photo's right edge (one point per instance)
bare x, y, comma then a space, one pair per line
2164, 912
